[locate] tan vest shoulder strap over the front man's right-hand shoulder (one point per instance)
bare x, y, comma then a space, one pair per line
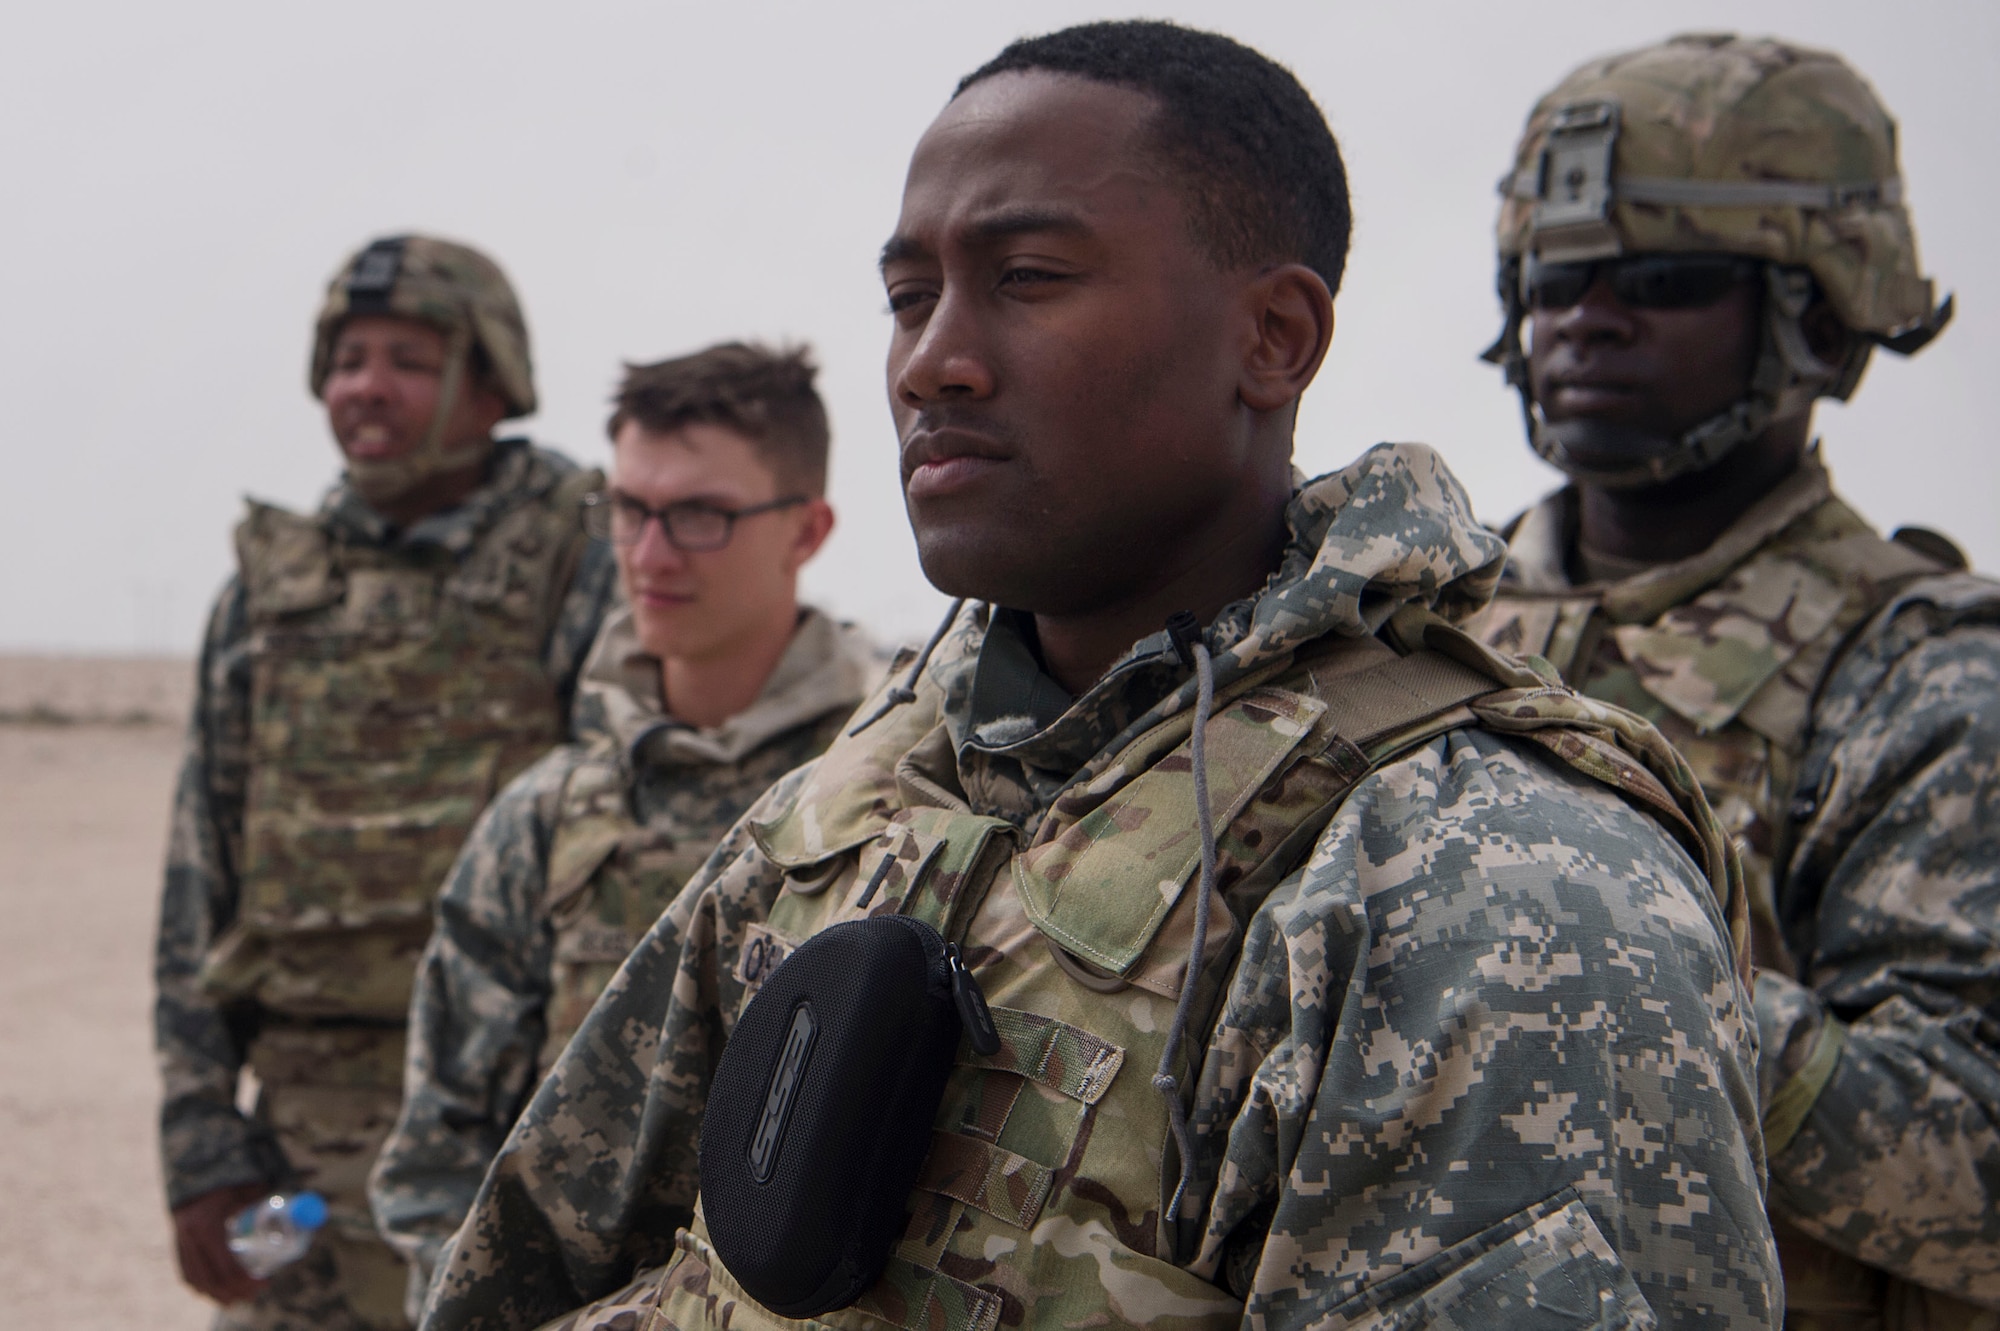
1287, 754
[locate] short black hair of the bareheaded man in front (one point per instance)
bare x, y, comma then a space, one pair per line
1265, 173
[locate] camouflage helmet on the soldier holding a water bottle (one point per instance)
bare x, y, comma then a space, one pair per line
453, 289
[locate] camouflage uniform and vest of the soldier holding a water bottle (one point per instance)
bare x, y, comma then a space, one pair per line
297, 884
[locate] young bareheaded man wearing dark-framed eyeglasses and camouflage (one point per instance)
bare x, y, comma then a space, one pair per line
705, 688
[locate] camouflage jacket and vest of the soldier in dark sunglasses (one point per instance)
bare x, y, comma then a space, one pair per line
1841, 700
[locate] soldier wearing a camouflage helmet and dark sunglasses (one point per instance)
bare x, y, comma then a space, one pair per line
1707, 237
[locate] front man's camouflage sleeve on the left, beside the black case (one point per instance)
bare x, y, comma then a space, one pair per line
601, 1170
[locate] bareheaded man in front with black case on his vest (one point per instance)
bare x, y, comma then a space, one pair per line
1339, 970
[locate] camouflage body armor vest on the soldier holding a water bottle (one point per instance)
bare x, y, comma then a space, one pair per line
393, 694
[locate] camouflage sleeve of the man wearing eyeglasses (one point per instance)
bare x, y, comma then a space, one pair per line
477, 1020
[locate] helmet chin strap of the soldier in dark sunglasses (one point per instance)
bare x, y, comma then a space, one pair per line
1785, 381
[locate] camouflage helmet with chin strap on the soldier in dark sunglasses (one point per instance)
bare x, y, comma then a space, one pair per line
1721, 145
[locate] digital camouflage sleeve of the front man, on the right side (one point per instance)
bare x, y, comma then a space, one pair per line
1487, 1052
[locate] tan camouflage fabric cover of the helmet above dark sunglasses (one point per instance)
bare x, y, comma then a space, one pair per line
1725, 109
